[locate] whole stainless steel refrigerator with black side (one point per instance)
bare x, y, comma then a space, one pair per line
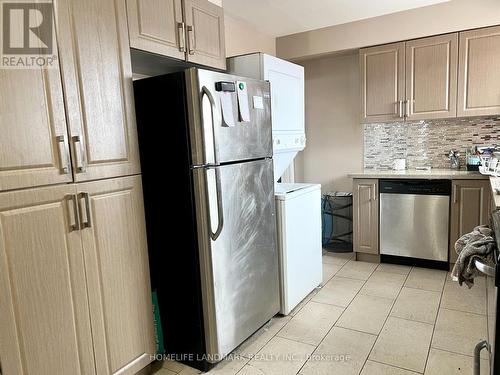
209, 198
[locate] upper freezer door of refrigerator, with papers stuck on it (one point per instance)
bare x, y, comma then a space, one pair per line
213, 142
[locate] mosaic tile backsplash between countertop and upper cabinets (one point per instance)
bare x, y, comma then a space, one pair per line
426, 143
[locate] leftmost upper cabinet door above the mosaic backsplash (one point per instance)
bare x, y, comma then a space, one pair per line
382, 82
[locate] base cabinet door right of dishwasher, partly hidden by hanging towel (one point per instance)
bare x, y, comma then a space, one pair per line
470, 207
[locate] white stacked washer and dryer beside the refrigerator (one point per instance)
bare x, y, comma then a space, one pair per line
298, 205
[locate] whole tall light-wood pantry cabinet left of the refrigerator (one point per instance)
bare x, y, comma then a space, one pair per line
74, 278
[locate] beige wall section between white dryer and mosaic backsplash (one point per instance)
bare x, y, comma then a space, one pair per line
334, 133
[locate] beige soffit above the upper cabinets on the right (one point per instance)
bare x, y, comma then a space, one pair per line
454, 15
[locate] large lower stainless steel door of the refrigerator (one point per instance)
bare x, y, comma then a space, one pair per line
238, 252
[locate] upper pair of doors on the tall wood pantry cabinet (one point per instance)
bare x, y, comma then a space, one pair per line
74, 121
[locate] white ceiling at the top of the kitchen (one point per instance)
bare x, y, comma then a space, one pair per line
283, 17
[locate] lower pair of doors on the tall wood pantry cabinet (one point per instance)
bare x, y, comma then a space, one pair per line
74, 280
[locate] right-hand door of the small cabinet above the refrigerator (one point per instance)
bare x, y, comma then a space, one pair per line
205, 33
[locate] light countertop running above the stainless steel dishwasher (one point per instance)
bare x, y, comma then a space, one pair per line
413, 173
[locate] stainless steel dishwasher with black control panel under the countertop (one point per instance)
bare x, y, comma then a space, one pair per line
414, 222
